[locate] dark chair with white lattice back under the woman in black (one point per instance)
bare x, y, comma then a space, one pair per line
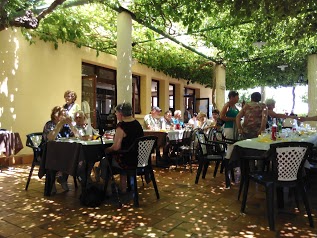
142, 167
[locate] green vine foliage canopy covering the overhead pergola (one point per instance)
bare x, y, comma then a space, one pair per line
221, 30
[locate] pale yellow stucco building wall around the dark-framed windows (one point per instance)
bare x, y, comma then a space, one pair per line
34, 78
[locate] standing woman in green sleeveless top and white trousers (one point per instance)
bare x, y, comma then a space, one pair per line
228, 115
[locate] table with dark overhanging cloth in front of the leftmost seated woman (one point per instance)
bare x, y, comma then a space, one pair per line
71, 155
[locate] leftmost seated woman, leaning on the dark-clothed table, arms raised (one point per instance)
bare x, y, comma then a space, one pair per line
59, 126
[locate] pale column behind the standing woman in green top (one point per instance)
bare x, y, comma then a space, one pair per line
220, 85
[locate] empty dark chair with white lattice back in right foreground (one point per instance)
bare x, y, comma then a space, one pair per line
287, 160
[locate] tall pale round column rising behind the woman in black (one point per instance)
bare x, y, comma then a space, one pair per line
124, 58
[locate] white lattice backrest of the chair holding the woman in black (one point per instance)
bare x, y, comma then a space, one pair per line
145, 146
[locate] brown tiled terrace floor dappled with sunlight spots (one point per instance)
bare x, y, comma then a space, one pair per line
184, 210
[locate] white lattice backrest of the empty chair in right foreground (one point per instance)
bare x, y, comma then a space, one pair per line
288, 159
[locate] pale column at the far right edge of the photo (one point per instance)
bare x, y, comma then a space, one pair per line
312, 84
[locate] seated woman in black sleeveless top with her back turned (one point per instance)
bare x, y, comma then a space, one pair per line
127, 131
